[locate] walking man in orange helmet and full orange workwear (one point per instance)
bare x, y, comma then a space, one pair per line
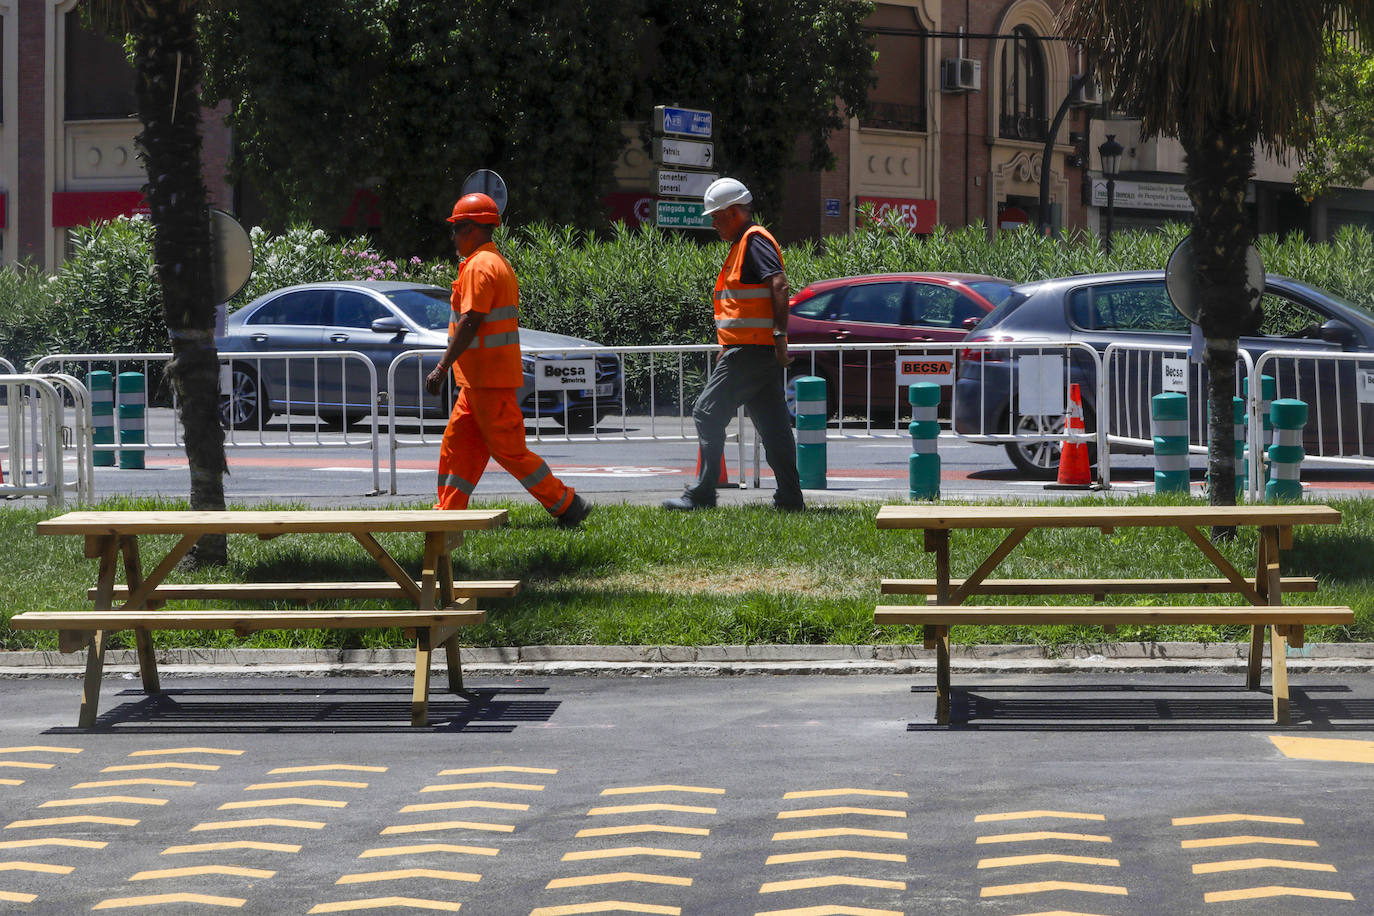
484, 351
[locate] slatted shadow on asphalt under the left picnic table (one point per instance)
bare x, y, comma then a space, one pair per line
330, 711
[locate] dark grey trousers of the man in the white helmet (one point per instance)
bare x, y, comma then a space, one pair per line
747, 376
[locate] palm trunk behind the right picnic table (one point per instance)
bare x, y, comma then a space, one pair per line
1219, 167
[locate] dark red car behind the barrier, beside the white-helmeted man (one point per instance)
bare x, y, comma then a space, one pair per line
883, 308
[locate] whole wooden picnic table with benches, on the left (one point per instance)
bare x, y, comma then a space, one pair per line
442, 604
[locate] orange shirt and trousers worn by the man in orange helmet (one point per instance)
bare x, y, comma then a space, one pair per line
487, 421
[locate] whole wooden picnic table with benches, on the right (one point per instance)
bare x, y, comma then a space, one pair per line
1265, 591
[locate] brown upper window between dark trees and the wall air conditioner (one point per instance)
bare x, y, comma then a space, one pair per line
898, 102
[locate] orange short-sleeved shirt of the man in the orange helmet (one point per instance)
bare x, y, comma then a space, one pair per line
487, 284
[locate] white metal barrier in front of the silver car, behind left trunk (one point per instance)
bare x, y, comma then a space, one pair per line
340, 385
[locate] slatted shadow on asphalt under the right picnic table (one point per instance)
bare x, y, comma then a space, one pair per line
1119, 708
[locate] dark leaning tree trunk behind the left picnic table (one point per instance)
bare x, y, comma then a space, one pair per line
168, 65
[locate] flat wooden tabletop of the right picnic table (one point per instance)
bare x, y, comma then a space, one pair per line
978, 517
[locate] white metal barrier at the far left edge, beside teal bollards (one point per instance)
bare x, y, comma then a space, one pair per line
36, 435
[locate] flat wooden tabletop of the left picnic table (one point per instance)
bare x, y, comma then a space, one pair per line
271, 521
